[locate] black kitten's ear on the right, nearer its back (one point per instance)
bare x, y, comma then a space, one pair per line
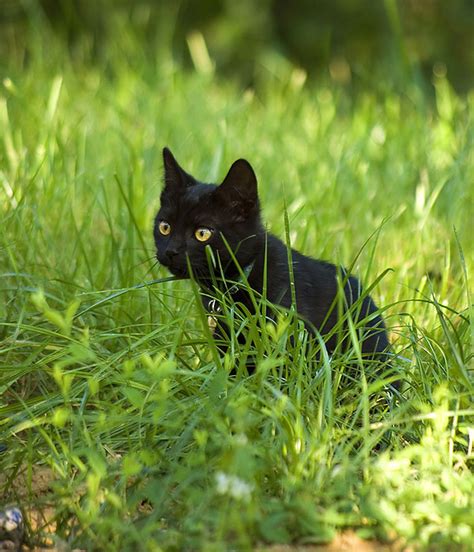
239, 187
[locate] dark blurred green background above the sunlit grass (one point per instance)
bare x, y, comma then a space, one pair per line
352, 42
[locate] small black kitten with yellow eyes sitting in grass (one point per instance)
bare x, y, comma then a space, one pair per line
227, 218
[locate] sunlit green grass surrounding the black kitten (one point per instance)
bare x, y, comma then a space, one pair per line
116, 384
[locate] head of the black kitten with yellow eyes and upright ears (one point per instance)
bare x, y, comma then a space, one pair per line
194, 216
